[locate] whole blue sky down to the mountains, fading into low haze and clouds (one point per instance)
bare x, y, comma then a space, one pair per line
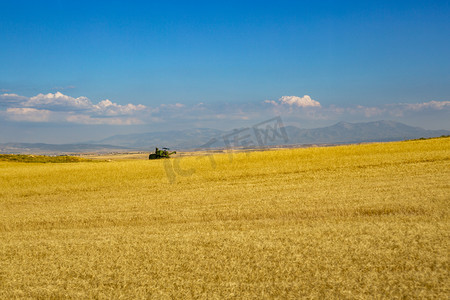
220, 63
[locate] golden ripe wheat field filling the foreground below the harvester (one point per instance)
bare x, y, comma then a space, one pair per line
358, 221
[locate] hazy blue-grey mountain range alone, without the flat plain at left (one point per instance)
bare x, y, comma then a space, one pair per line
379, 131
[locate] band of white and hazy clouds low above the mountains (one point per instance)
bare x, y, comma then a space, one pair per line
60, 108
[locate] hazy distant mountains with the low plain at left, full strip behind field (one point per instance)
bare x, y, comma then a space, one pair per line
203, 138
